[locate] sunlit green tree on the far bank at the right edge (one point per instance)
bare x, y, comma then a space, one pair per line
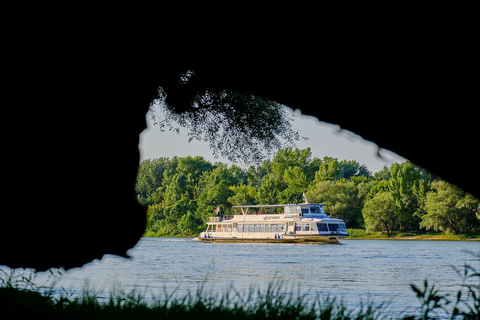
450, 209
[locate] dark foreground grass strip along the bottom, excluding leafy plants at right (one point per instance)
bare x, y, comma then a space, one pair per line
16, 303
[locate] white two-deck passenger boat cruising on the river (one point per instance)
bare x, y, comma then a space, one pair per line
305, 222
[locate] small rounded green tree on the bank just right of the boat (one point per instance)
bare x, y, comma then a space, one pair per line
379, 213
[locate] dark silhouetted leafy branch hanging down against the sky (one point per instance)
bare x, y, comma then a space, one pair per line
238, 126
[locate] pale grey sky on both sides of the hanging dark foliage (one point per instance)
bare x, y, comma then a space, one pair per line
324, 139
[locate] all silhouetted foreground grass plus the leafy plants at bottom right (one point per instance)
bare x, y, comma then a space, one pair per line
20, 298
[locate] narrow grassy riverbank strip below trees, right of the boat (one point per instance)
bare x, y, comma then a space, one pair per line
360, 234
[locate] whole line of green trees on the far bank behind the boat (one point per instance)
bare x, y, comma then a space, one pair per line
181, 193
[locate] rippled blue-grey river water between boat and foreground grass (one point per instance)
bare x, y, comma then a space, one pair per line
353, 271
